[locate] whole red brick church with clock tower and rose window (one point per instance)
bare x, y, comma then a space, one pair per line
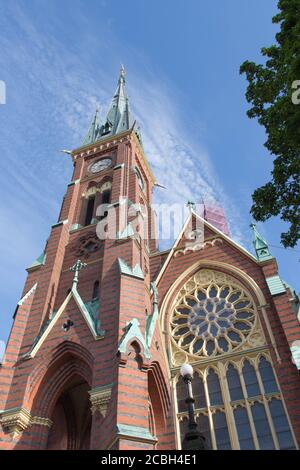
106, 320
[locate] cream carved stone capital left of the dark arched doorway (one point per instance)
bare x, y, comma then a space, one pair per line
15, 420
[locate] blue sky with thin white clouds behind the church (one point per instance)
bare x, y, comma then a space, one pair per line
60, 59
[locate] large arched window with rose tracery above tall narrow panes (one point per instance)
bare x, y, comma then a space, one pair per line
214, 325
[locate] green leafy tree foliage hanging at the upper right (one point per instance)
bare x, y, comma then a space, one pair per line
274, 93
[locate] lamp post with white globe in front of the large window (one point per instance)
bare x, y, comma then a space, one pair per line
193, 440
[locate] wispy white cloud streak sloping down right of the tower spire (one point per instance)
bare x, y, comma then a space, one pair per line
179, 160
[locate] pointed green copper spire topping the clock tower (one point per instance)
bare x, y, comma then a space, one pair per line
118, 118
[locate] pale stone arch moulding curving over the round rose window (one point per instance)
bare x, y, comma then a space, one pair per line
243, 278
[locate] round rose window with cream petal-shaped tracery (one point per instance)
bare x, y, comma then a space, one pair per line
212, 317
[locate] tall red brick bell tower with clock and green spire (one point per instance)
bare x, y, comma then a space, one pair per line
78, 372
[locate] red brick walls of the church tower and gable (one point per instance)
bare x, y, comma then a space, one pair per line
128, 388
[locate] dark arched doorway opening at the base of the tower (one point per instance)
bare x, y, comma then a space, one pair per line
71, 417
